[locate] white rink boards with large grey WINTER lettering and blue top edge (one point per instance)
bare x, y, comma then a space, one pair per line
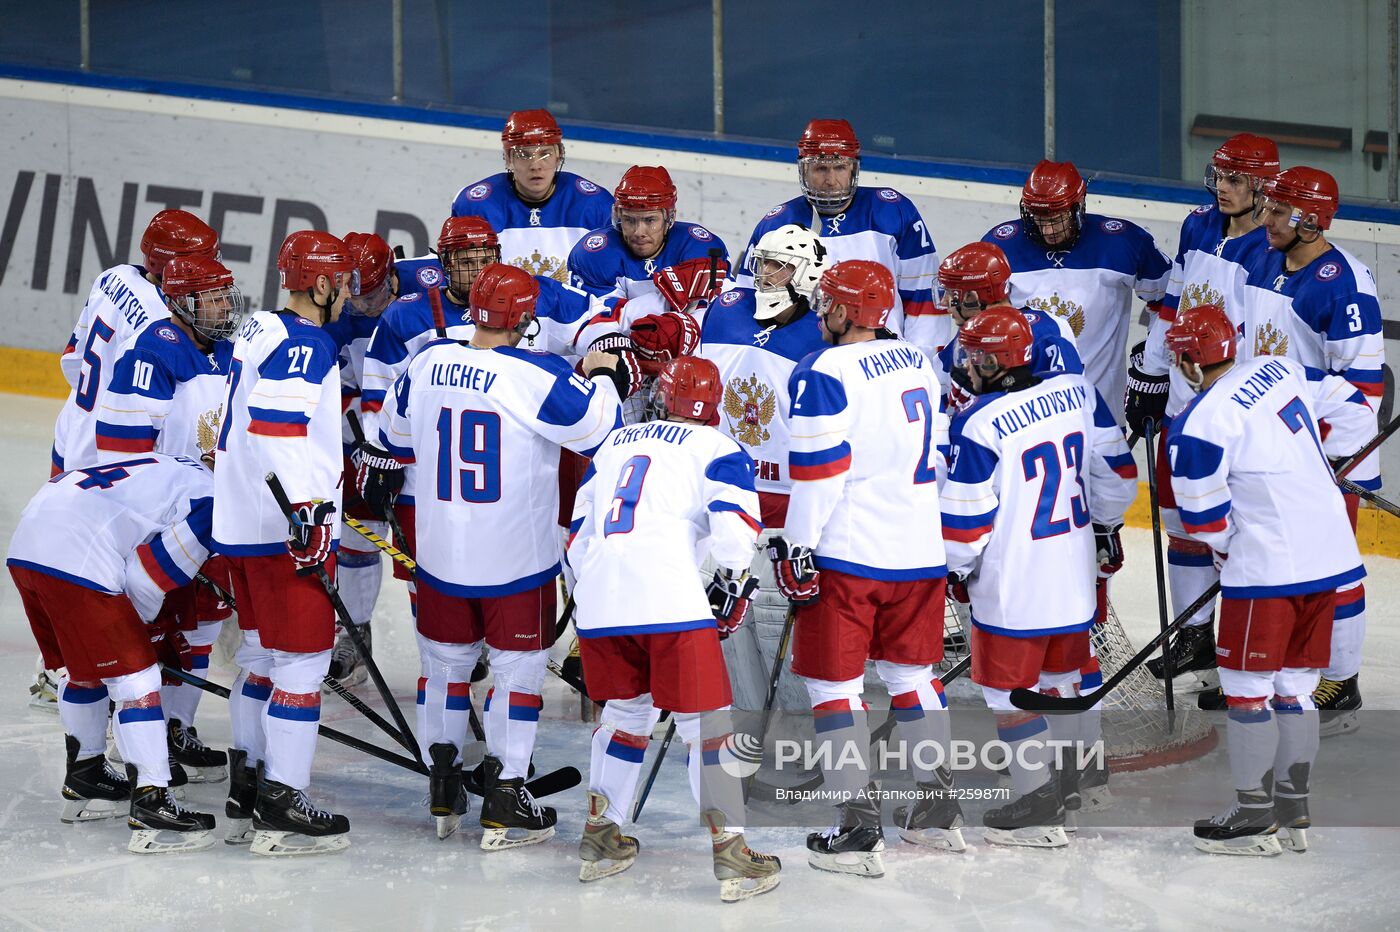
83, 169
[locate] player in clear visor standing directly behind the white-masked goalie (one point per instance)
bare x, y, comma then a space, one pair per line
862, 223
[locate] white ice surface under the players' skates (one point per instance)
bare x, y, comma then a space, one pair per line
398, 877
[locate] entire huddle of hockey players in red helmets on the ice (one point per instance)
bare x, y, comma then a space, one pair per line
845, 429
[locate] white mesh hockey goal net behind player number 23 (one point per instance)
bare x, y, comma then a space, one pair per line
1139, 734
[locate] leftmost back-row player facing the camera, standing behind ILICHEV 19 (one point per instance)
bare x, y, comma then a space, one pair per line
537, 209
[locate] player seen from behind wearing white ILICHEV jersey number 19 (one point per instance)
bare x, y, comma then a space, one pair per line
485, 421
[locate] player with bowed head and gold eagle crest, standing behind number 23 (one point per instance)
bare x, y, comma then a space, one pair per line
1083, 268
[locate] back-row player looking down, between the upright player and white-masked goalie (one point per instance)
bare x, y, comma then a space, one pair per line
643, 239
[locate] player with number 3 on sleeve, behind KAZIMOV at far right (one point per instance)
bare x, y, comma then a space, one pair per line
1315, 303
